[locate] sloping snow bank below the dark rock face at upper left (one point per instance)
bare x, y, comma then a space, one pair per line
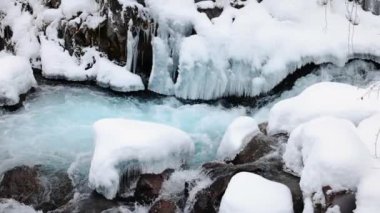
57, 63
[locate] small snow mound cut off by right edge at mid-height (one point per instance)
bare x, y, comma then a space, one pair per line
369, 131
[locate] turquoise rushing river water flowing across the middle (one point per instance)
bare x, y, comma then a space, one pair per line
55, 126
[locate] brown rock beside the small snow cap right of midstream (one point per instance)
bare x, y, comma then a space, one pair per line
259, 146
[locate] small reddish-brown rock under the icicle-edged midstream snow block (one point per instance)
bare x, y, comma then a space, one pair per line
148, 187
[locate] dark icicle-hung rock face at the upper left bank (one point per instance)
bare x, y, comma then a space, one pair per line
112, 34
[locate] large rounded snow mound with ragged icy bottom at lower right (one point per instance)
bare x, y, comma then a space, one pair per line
326, 151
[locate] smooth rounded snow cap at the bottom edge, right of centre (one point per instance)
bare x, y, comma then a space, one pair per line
249, 192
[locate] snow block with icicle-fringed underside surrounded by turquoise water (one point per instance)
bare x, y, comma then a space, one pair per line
134, 144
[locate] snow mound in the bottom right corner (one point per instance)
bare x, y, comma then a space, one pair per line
368, 195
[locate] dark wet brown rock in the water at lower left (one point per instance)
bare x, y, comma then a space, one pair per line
37, 186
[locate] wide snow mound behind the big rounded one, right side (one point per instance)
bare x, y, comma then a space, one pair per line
322, 99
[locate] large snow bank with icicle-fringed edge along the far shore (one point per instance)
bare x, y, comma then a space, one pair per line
248, 51
